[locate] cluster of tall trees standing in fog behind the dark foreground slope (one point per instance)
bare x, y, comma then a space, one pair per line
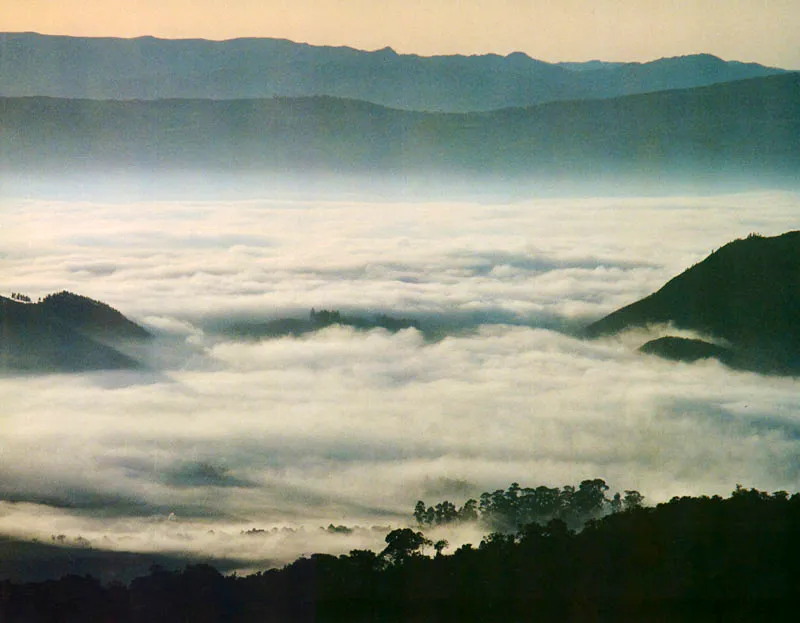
508, 509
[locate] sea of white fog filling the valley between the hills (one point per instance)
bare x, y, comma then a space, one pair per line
220, 433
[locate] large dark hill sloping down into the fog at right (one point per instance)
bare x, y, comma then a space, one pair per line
747, 292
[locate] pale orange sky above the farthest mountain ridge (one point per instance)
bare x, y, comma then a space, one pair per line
765, 31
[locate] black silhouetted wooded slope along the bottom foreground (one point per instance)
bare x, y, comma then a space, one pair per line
691, 559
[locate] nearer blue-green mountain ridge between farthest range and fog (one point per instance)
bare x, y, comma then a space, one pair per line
734, 129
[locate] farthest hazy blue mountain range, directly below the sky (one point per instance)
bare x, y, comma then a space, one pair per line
150, 68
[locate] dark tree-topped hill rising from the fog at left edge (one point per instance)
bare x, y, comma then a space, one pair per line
63, 333
